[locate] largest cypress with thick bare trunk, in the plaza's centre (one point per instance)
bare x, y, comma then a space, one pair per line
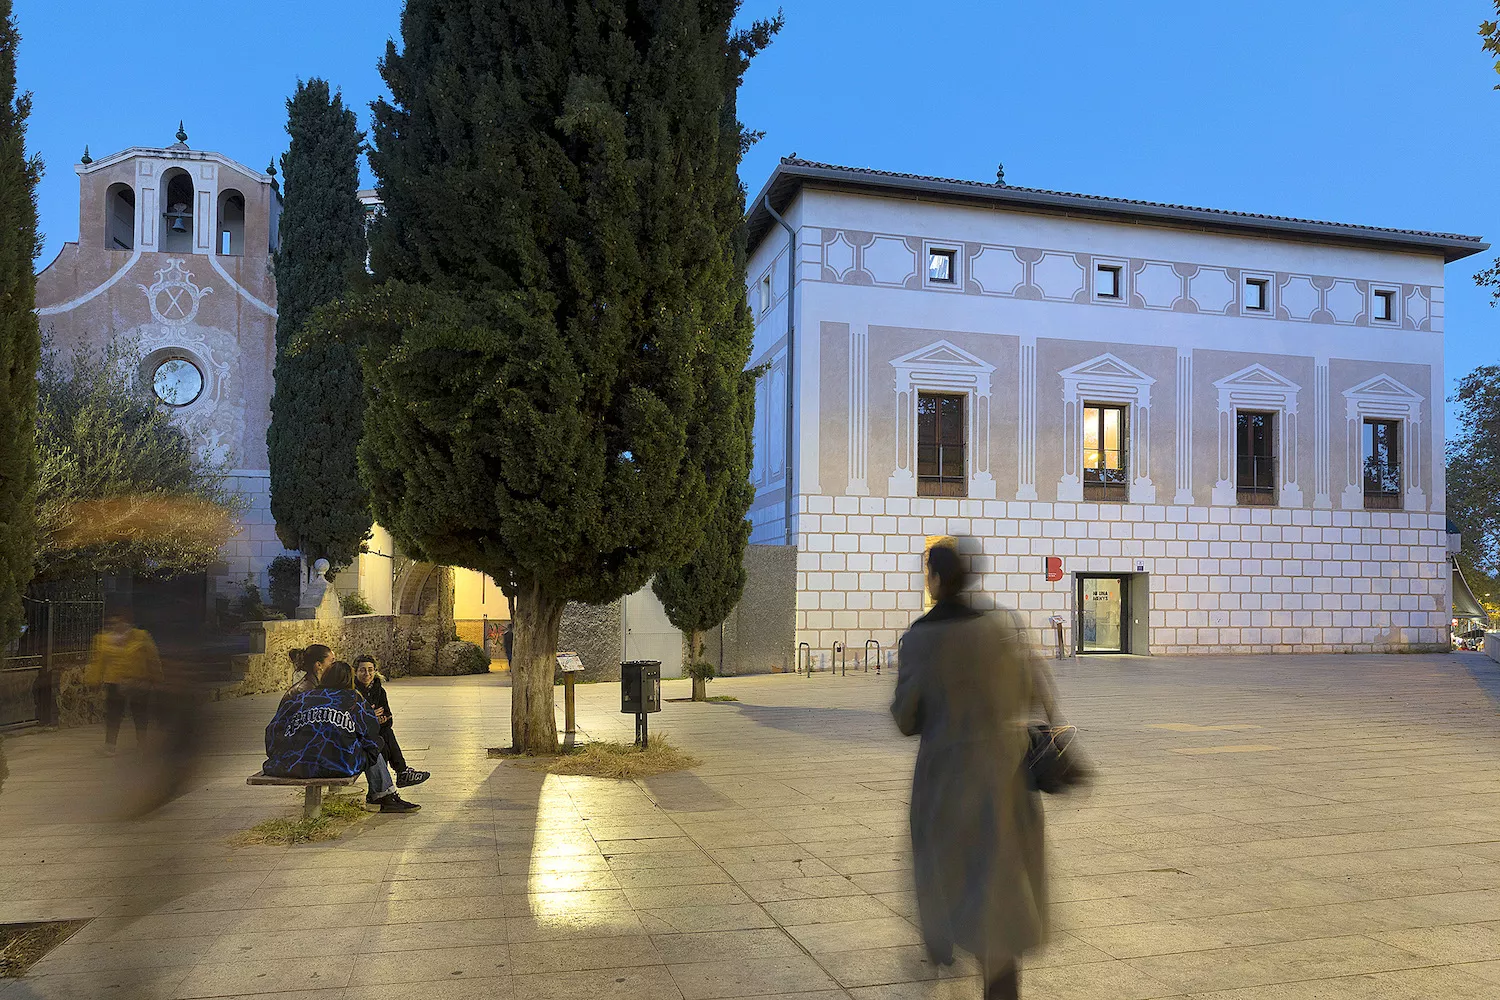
553, 359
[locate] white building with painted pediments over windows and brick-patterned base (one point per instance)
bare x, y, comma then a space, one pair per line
1174, 430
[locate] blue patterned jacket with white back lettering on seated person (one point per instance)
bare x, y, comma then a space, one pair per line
322, 734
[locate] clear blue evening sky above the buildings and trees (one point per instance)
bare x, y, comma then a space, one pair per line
1372, 113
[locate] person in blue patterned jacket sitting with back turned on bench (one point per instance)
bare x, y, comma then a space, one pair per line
329, 732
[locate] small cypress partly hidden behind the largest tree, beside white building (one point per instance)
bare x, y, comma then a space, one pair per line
700, 594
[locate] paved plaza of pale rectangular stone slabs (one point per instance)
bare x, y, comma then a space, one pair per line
1262, 827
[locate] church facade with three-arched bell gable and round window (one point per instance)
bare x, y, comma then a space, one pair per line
173, 257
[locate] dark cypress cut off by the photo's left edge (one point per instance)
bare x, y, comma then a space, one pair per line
20, 338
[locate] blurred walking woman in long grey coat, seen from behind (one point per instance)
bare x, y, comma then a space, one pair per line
968, 686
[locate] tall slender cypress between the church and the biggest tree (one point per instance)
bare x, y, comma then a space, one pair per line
317, 412
